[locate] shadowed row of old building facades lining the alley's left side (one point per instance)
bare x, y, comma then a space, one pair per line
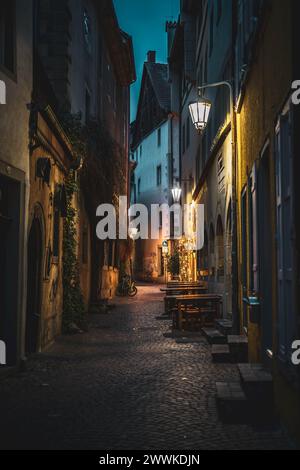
67, 68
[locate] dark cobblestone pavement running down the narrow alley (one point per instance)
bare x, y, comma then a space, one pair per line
123, 385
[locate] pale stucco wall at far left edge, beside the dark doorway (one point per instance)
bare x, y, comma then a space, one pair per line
14, 120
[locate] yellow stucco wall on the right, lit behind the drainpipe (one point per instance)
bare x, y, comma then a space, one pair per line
266, 91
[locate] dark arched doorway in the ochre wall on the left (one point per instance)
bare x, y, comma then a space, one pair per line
34, 273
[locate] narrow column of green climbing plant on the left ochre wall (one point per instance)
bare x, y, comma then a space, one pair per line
73, 304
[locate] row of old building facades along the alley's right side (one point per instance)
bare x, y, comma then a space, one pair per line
242, 168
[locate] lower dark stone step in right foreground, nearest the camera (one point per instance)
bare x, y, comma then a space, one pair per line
232, 403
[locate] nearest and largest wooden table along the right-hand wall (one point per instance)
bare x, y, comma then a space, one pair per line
198, 307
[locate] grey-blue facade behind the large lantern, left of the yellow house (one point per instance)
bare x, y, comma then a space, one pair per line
200, 54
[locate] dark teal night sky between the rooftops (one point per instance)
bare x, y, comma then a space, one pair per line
145, 21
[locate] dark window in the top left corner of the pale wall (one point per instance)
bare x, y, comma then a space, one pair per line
7, 35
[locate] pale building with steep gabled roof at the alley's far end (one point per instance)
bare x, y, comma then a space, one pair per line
156, 161
